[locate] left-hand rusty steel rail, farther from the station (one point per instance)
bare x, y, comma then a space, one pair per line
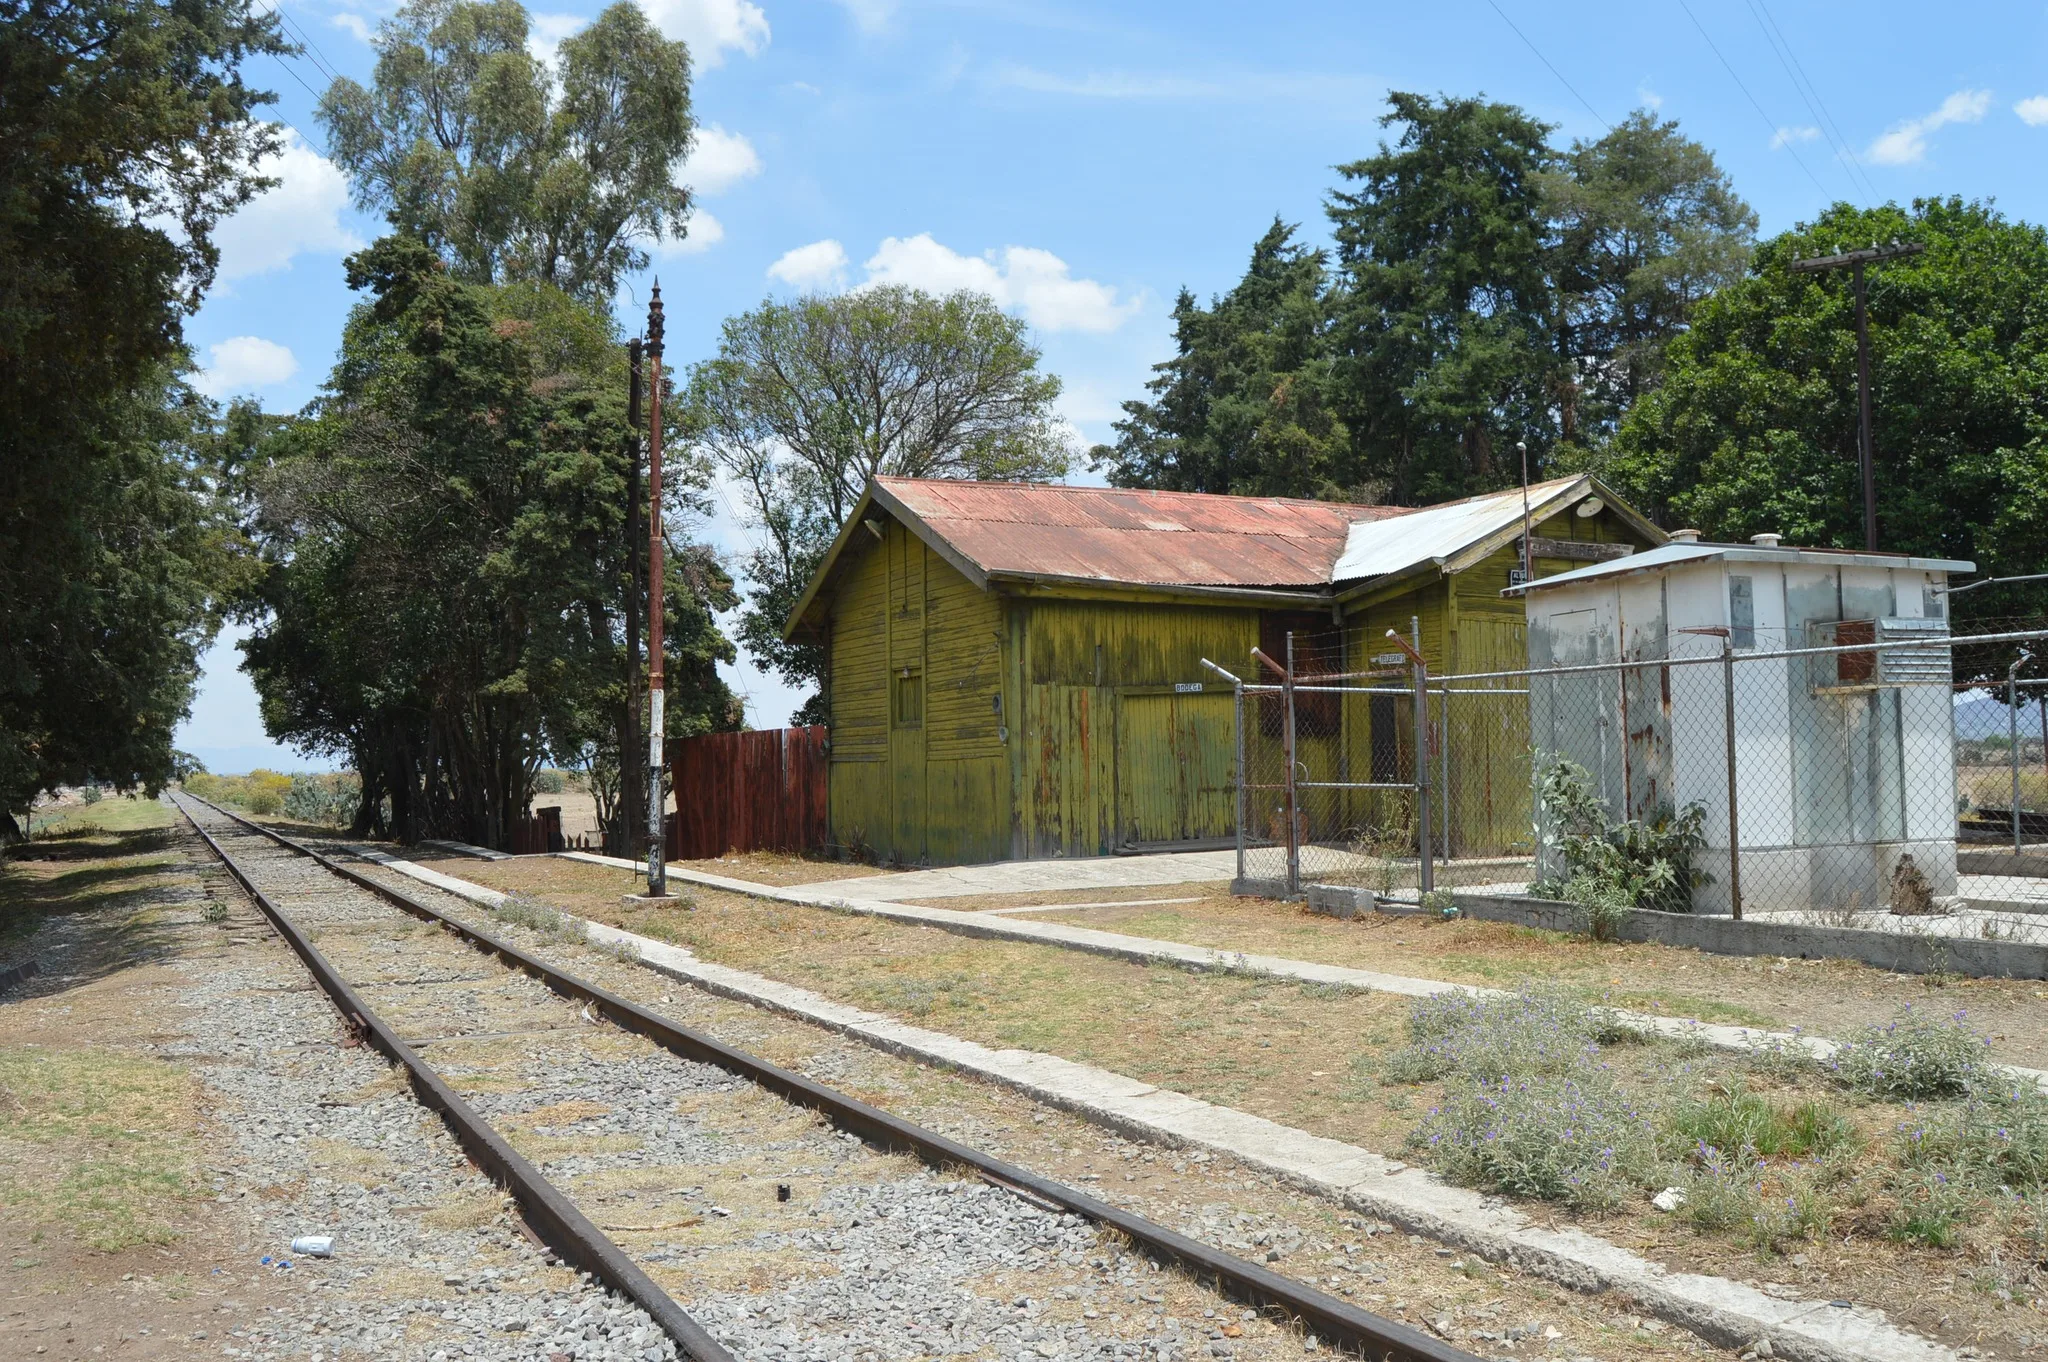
552, 1216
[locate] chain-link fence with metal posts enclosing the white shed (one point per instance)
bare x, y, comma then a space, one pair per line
1871, 773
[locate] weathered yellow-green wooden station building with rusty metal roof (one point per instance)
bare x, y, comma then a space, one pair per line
1015, 671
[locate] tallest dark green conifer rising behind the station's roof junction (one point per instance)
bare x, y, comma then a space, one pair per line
1443, 327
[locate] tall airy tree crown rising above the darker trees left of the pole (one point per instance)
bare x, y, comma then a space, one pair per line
474, 146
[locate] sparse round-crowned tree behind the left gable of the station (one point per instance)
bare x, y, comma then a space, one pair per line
808, 400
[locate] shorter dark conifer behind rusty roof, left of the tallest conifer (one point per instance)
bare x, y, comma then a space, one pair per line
1246, 402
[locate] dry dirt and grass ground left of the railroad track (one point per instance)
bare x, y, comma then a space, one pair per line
112, 1244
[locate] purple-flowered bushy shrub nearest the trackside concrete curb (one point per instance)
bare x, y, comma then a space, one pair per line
1576, 1138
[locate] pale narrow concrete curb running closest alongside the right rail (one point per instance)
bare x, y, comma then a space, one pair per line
1717, 1310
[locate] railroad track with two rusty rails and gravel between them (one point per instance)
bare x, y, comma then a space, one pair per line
849, 1234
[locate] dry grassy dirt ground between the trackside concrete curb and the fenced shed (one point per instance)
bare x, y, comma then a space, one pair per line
1312, 1056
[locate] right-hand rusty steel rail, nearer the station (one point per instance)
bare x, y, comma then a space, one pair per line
1330, 1318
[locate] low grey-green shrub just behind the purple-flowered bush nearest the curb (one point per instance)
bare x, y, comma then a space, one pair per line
1490, 1037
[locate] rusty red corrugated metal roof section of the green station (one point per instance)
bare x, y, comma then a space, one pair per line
1136, 536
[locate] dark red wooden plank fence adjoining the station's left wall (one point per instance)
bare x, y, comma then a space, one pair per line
759, 792
